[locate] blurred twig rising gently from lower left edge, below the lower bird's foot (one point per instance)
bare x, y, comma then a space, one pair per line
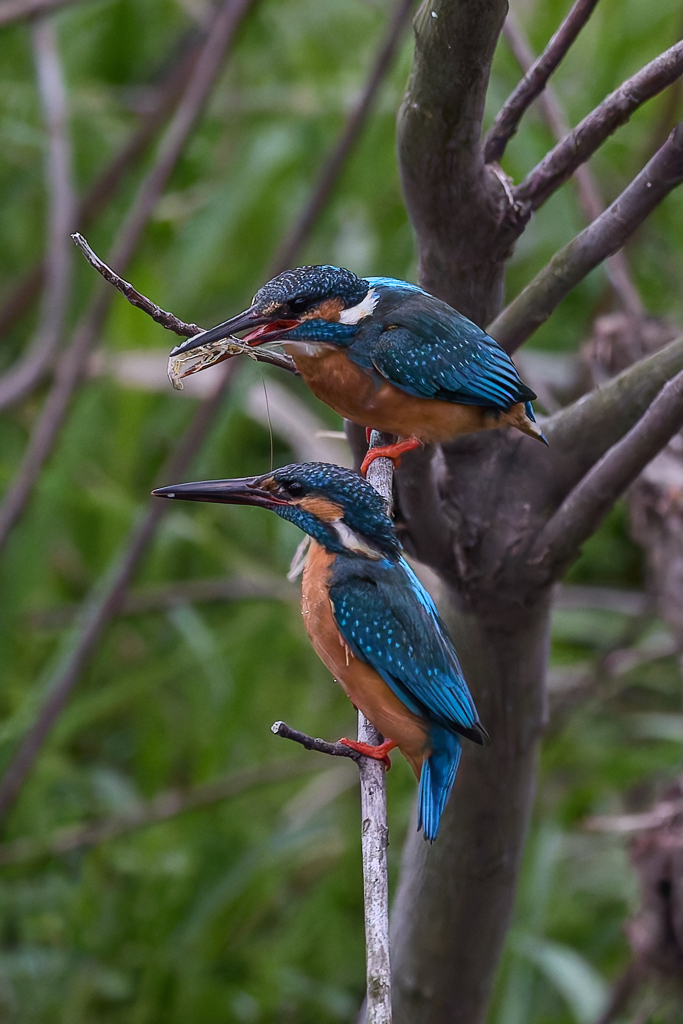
167, 805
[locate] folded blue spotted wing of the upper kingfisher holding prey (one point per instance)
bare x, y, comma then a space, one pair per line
436, 353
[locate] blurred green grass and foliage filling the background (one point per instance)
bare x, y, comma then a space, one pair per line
251, 911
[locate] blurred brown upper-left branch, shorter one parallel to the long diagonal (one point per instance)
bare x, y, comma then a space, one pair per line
163, 98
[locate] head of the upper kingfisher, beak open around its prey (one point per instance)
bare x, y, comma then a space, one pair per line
328, 295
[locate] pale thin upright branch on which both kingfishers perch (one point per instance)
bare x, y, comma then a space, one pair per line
375, 835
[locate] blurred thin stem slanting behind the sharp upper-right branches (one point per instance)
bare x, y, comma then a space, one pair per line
589, 193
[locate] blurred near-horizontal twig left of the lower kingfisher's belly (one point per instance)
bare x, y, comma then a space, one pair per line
174, 595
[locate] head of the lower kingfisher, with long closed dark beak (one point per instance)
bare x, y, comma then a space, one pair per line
335, 506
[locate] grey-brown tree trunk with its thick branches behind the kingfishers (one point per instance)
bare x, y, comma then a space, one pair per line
474, 509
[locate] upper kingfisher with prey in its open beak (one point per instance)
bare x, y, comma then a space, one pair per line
383, 354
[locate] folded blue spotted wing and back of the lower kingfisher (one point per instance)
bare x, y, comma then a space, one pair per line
389, 620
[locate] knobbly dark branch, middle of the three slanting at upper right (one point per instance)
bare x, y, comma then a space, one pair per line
562, 162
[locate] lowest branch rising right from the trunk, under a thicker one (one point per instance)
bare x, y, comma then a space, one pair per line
584, 509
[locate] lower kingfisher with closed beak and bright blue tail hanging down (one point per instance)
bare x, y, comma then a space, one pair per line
369, 619
